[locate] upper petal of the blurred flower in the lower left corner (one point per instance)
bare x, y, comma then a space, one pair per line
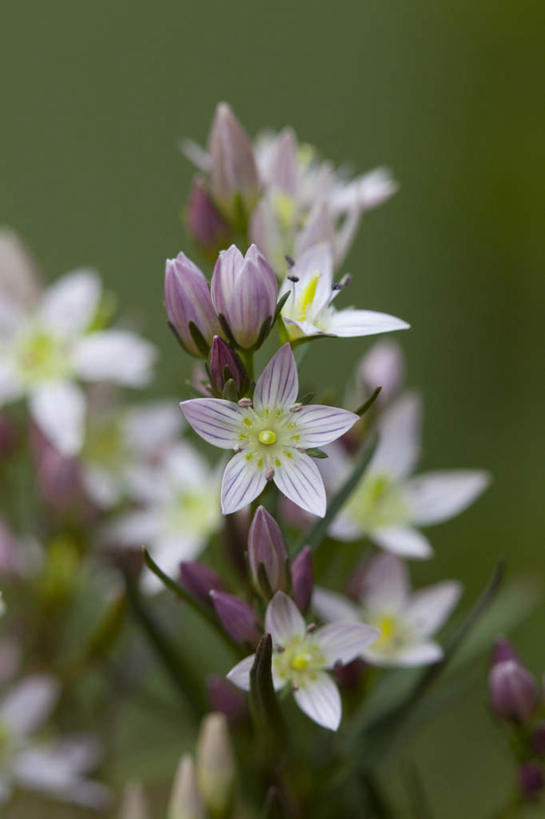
29, 704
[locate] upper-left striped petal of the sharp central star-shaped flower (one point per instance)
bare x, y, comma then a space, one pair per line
217, 421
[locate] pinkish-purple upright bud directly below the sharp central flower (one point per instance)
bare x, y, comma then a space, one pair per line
266, 548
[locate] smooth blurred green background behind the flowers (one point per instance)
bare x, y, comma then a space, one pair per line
450, 96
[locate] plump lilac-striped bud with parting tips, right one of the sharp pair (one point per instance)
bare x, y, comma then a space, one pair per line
244, 291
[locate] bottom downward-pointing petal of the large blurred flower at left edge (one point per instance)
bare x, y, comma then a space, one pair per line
59, 411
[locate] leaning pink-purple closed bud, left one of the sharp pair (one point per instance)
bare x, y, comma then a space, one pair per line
189, 306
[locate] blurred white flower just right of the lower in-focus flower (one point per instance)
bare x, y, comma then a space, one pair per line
406, 620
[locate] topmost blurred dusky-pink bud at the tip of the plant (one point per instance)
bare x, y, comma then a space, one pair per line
233, 172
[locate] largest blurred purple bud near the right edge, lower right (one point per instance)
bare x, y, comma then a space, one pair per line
513, 691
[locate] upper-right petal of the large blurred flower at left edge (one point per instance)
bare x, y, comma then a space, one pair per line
69, 305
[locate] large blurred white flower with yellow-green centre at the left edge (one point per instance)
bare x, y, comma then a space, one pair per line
46, 347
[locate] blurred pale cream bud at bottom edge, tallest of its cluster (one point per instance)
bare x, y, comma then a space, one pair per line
215, 764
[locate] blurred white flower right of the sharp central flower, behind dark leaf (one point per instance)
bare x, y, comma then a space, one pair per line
387, 504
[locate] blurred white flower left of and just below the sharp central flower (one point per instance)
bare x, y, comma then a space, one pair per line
178, 510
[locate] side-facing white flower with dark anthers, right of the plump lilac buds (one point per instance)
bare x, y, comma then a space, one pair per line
308, 310
